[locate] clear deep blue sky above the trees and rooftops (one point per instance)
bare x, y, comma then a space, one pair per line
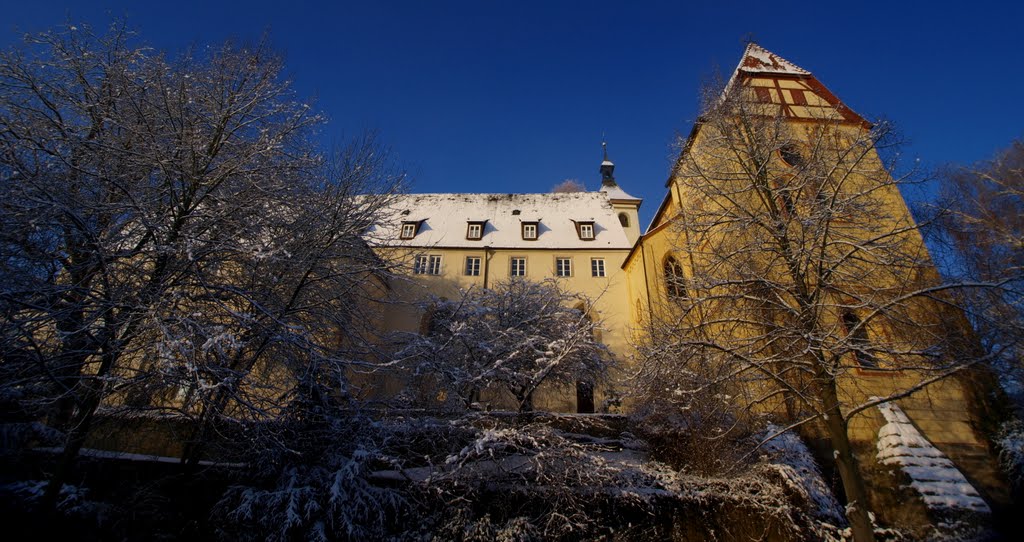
516, 97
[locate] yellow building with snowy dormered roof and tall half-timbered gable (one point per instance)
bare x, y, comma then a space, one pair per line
633, 289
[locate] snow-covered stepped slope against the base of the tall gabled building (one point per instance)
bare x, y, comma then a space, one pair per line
941, 484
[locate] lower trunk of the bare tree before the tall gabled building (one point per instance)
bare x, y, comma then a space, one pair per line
854, 483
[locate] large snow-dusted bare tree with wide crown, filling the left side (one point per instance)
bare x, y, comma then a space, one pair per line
168, 226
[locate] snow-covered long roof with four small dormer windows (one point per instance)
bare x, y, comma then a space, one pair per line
443, 221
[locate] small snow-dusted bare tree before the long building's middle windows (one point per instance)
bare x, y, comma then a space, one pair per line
519, 336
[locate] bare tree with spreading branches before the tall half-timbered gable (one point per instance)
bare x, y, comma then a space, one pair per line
796, 265
